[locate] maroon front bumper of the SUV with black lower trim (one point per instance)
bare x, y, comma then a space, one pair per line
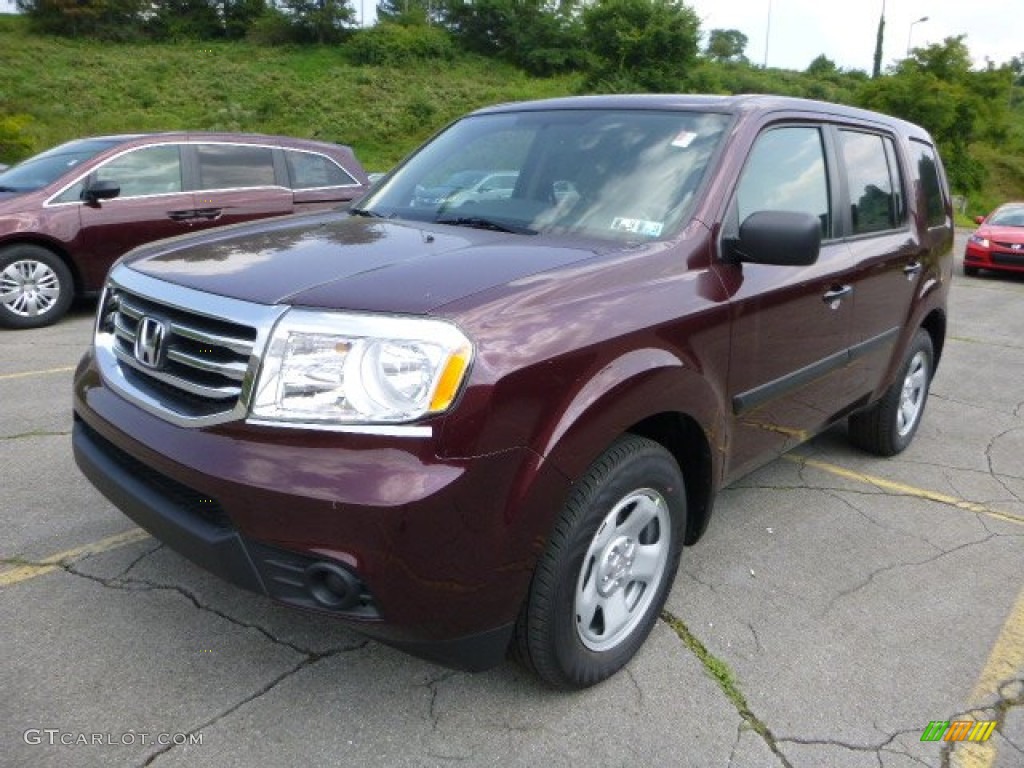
441, 552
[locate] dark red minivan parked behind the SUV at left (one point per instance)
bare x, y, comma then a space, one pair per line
68, 215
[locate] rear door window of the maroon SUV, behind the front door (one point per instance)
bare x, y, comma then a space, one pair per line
873, 182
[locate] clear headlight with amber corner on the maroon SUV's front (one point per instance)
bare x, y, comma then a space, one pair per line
360, 369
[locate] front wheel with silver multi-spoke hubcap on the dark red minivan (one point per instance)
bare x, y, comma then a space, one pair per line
36, 287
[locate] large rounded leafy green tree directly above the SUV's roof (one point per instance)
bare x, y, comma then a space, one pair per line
647, 45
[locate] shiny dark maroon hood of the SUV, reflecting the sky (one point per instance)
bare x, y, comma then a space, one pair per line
342, 262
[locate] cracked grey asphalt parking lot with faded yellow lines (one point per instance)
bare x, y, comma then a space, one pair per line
838, 605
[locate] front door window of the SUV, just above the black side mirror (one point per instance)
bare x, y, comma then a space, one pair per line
787, 173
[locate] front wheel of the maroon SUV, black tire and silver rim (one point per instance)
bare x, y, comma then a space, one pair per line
590, 607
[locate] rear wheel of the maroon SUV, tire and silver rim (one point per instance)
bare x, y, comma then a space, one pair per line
888, 426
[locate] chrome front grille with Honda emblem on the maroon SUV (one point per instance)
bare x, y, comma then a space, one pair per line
209, 349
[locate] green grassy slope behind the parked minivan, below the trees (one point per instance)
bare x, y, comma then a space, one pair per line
72, 89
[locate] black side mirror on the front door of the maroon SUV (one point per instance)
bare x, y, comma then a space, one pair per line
782, 238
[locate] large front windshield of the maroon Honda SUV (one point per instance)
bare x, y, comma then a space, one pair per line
610, 175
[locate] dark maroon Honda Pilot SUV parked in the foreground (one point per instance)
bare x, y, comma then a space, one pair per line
472, 424
